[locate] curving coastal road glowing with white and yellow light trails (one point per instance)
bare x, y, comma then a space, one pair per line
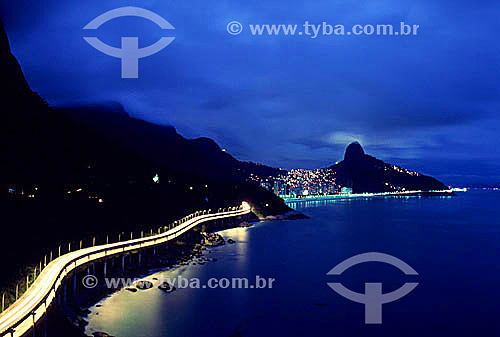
20, 317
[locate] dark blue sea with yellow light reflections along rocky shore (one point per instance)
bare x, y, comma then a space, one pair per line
452, 242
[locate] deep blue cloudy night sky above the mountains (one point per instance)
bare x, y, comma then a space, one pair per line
428, 102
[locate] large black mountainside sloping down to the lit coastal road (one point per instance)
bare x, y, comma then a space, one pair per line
92, 170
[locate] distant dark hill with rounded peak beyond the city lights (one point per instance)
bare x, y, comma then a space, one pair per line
364, 173
